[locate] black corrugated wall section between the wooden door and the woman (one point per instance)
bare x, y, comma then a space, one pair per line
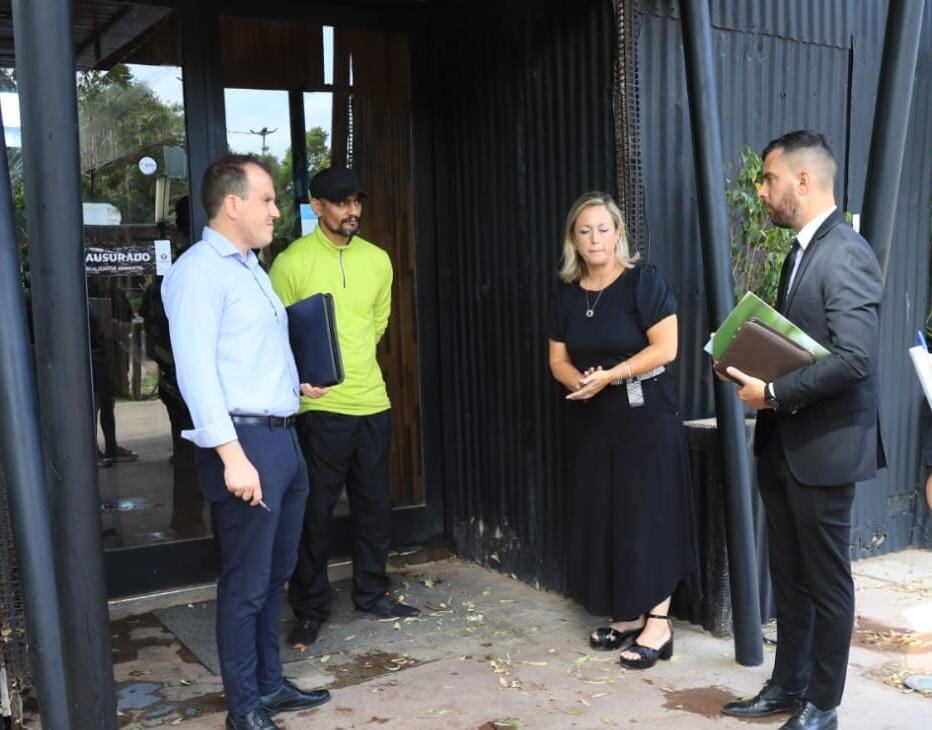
521, 96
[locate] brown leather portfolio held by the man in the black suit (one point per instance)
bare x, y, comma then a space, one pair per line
763, 352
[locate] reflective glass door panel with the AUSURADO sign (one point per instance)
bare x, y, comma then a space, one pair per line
136, 207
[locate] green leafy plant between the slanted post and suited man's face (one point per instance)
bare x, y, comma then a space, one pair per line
758, 247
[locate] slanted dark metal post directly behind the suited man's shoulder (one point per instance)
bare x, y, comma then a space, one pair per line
891, 123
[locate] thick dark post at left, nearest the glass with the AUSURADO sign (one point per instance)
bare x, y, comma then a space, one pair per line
46, 77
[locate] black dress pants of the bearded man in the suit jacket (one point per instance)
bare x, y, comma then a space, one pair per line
808, 529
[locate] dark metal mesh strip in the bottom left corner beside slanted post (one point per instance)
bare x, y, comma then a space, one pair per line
13, 646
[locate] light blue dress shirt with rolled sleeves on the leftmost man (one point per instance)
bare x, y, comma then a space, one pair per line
229, 334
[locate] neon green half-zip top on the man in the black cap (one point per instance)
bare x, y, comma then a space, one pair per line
359, 276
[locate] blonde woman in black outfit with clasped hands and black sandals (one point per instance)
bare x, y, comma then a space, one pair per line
613, 330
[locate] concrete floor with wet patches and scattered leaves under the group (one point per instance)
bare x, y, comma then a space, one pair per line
496, 653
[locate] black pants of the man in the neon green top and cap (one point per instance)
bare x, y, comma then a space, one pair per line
352, 451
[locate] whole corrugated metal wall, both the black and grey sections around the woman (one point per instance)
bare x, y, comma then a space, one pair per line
519, 101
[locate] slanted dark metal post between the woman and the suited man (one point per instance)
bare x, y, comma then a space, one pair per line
713, 225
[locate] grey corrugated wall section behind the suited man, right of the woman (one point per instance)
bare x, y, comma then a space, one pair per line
782, 65
